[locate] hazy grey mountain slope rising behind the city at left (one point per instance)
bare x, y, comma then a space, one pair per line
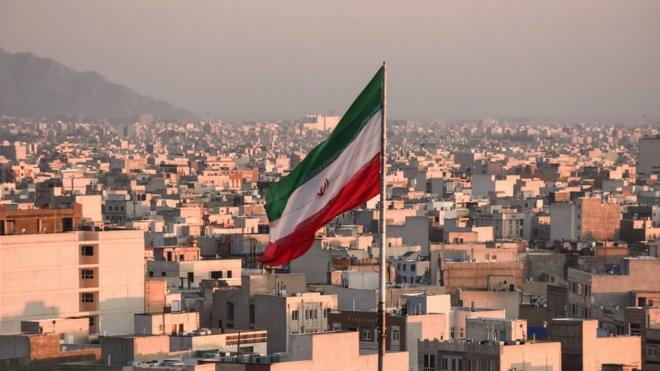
31, 86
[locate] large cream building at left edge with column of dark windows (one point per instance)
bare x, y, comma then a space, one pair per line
98, 275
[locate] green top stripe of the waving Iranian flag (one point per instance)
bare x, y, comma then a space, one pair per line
363, 108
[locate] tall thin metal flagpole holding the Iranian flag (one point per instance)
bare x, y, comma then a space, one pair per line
382, 335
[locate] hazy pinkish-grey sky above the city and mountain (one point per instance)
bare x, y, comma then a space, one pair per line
277, 59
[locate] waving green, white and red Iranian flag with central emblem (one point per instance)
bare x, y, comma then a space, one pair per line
340, 174
